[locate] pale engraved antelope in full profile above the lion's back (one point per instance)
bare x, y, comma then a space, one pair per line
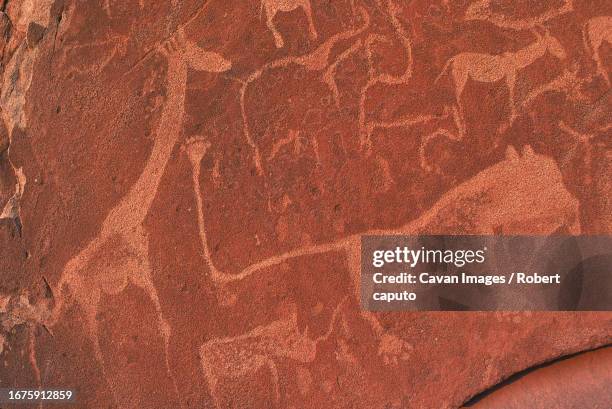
489, 68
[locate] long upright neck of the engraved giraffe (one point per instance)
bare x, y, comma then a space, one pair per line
134, 206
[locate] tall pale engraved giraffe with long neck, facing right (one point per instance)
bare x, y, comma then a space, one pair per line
119, 253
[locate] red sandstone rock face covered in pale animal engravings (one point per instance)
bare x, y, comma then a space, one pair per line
183, 185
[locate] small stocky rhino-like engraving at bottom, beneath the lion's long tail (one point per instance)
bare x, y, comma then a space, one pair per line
244, 355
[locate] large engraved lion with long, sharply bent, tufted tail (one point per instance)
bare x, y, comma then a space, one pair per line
518, 195
